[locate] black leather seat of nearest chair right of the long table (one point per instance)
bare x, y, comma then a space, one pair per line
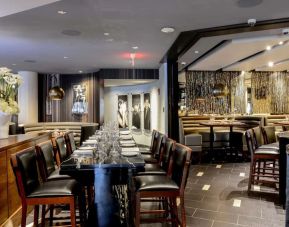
154, 182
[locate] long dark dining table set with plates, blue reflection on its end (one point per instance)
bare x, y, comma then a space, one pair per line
110, 177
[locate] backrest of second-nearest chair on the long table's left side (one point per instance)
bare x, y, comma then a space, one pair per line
45, 157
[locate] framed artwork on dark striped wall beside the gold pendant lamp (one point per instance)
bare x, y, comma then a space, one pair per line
80, 105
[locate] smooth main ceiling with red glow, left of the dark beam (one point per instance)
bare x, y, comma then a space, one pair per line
33, 39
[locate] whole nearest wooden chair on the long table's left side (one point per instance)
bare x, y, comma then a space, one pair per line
32, 192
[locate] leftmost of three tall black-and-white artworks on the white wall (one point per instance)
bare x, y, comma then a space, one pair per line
122, 112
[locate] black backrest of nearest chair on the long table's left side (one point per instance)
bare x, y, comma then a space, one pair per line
25, 170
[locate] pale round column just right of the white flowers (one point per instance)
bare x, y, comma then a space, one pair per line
28, 98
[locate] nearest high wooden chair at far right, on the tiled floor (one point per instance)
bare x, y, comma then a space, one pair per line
260, 173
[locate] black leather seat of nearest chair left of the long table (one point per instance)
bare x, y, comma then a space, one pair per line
55, 189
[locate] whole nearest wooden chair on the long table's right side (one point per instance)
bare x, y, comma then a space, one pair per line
168, 188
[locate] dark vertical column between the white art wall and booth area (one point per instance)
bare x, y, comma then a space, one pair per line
173, 95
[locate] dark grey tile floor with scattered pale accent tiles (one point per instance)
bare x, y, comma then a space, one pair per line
216, 196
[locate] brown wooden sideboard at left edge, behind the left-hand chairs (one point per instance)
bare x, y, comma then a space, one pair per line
9, 199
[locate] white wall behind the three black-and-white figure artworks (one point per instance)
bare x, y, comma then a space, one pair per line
159, 107
